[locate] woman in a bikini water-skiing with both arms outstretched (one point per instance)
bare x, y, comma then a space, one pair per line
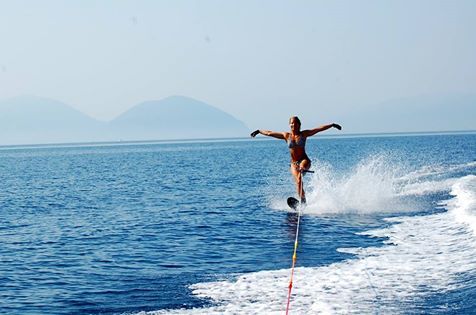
296, 140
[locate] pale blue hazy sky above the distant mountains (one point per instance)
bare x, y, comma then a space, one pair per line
261, 61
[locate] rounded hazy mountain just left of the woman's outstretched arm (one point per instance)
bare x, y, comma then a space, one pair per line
176, 117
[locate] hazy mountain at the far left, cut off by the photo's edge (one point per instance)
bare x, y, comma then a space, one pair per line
34, 120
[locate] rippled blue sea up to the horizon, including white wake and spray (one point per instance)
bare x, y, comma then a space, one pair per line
202, 227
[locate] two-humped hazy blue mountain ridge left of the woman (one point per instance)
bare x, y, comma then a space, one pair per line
35, 120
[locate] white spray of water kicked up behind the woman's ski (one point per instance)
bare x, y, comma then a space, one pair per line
377, 184
